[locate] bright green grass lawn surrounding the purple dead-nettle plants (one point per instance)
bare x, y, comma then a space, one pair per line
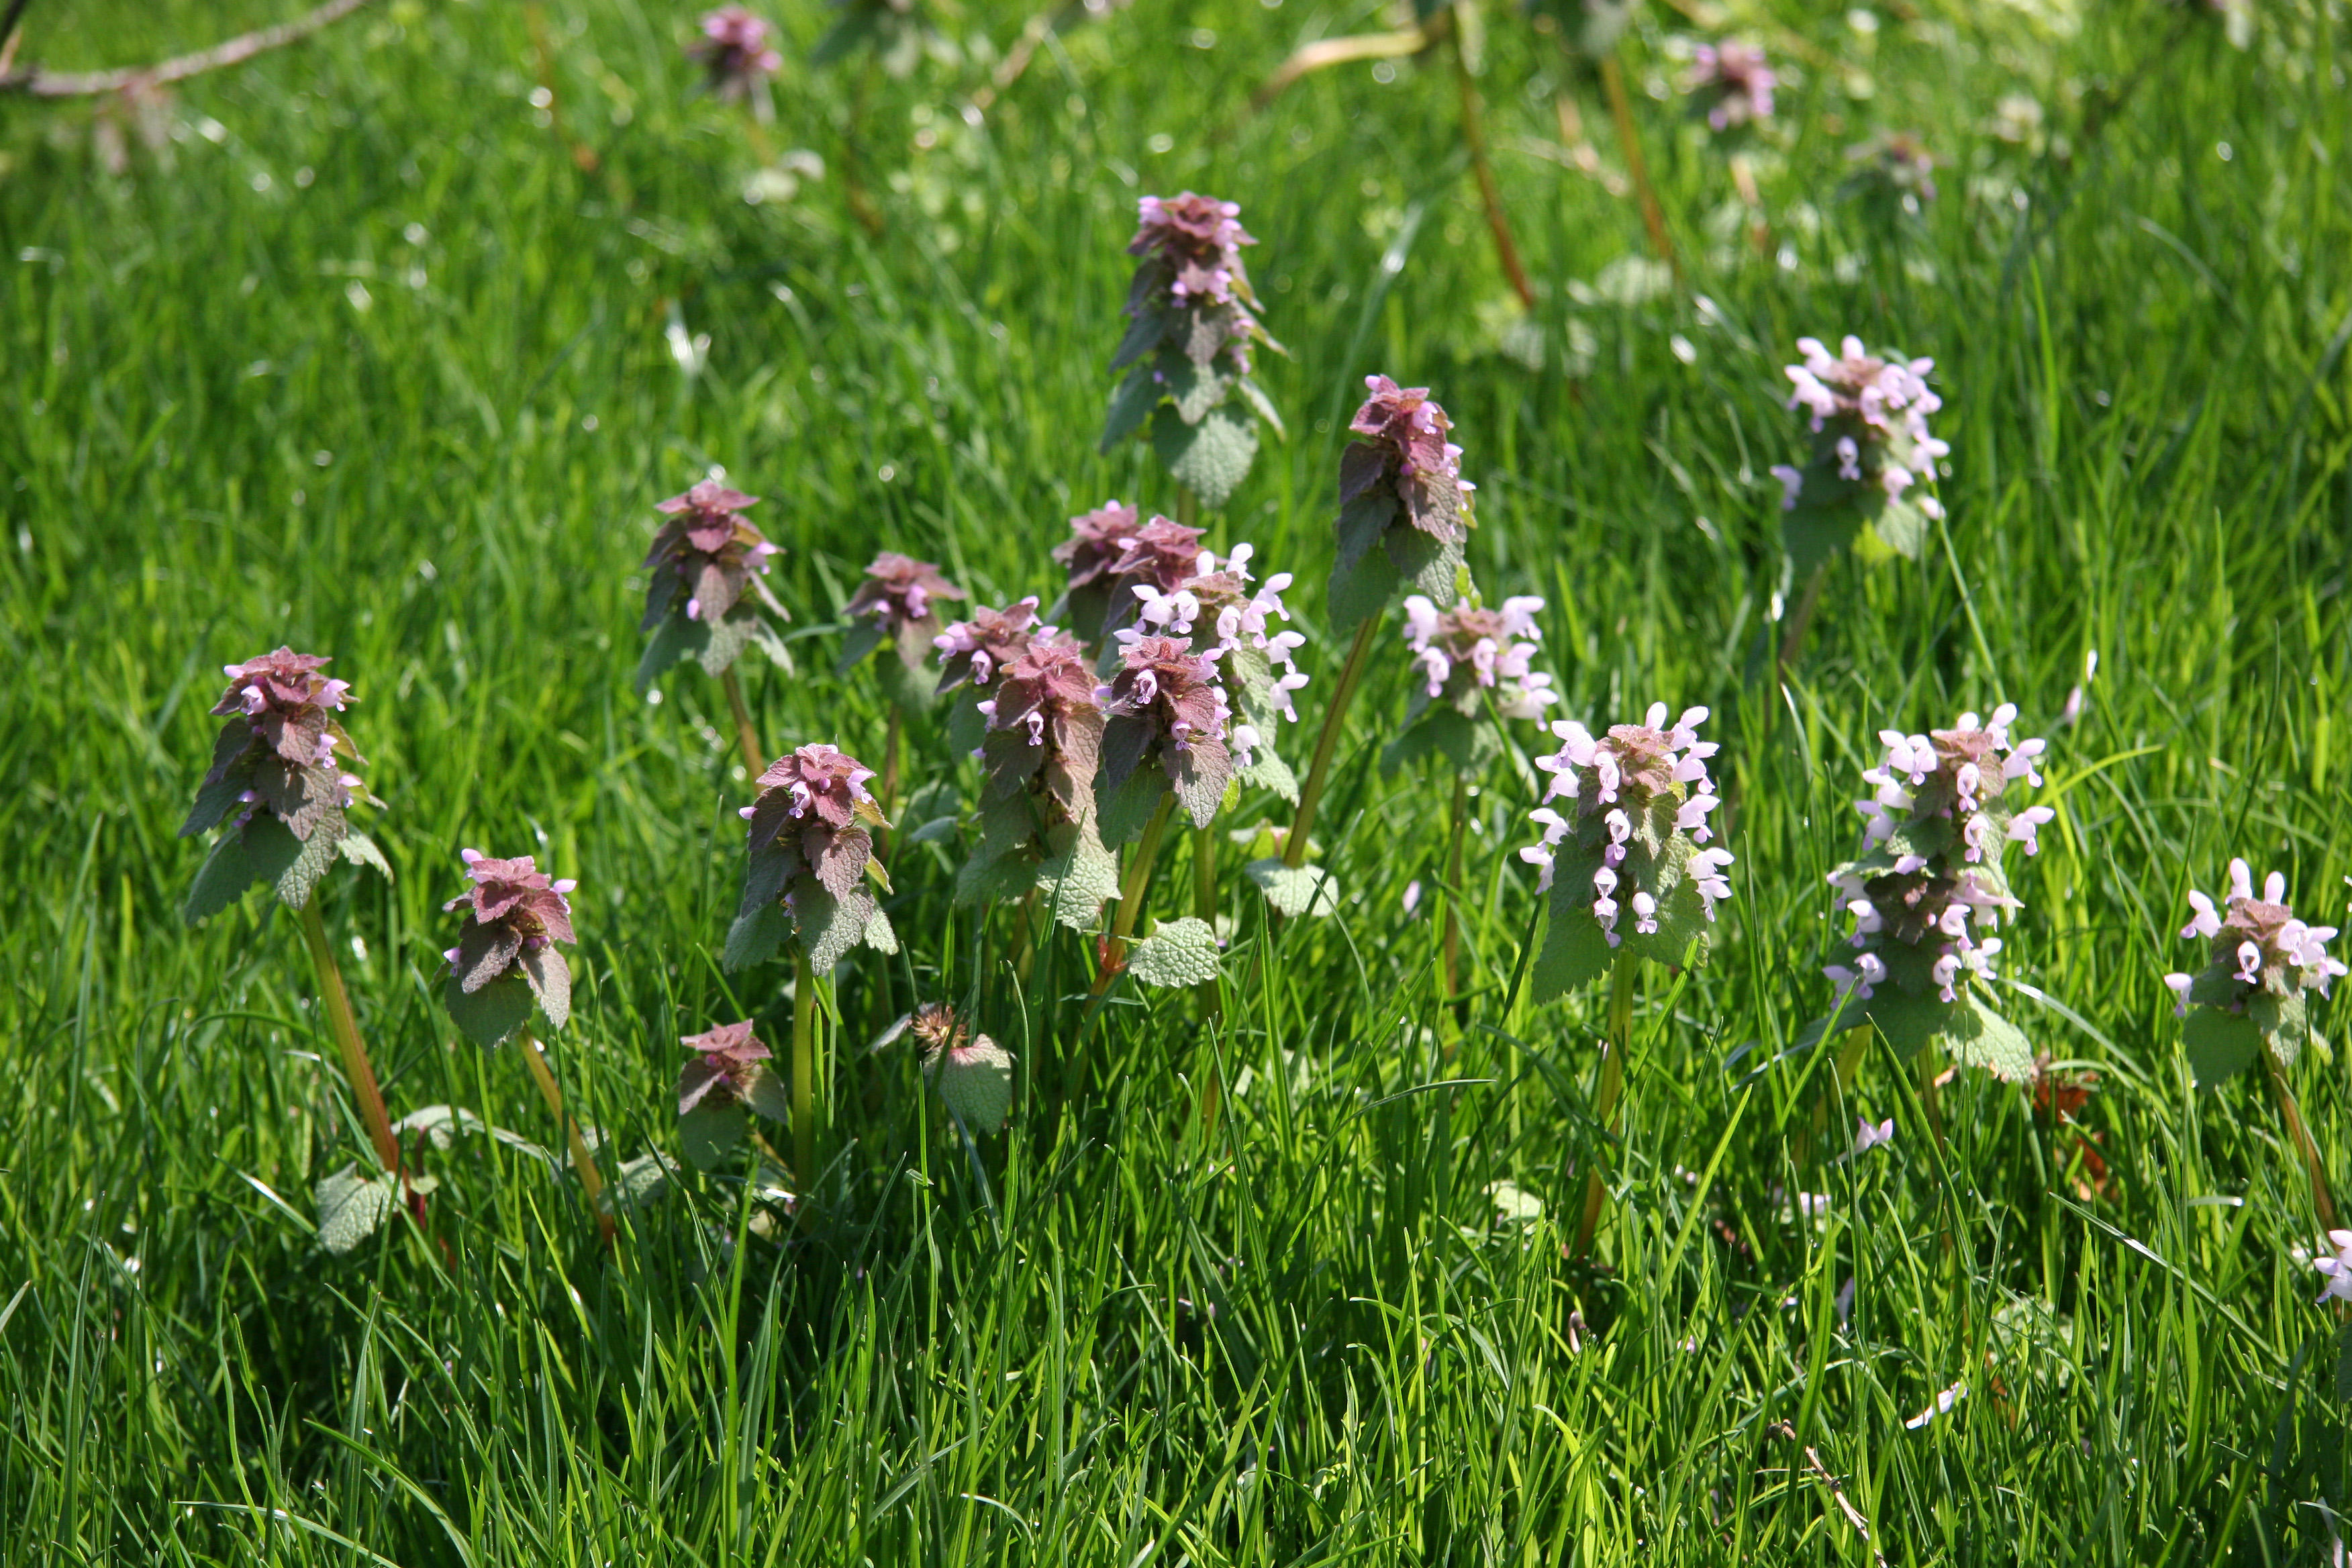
375, 368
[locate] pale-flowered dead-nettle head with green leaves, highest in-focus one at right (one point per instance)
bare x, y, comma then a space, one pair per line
1871, 448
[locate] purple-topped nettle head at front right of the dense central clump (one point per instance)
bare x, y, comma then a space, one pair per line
1165, 730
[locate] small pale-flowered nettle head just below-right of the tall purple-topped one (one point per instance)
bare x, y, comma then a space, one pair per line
1464, 659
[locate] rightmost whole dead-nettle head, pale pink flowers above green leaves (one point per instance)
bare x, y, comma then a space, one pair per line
2261, 972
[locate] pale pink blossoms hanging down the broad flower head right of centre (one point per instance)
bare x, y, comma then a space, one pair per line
1617, 777
